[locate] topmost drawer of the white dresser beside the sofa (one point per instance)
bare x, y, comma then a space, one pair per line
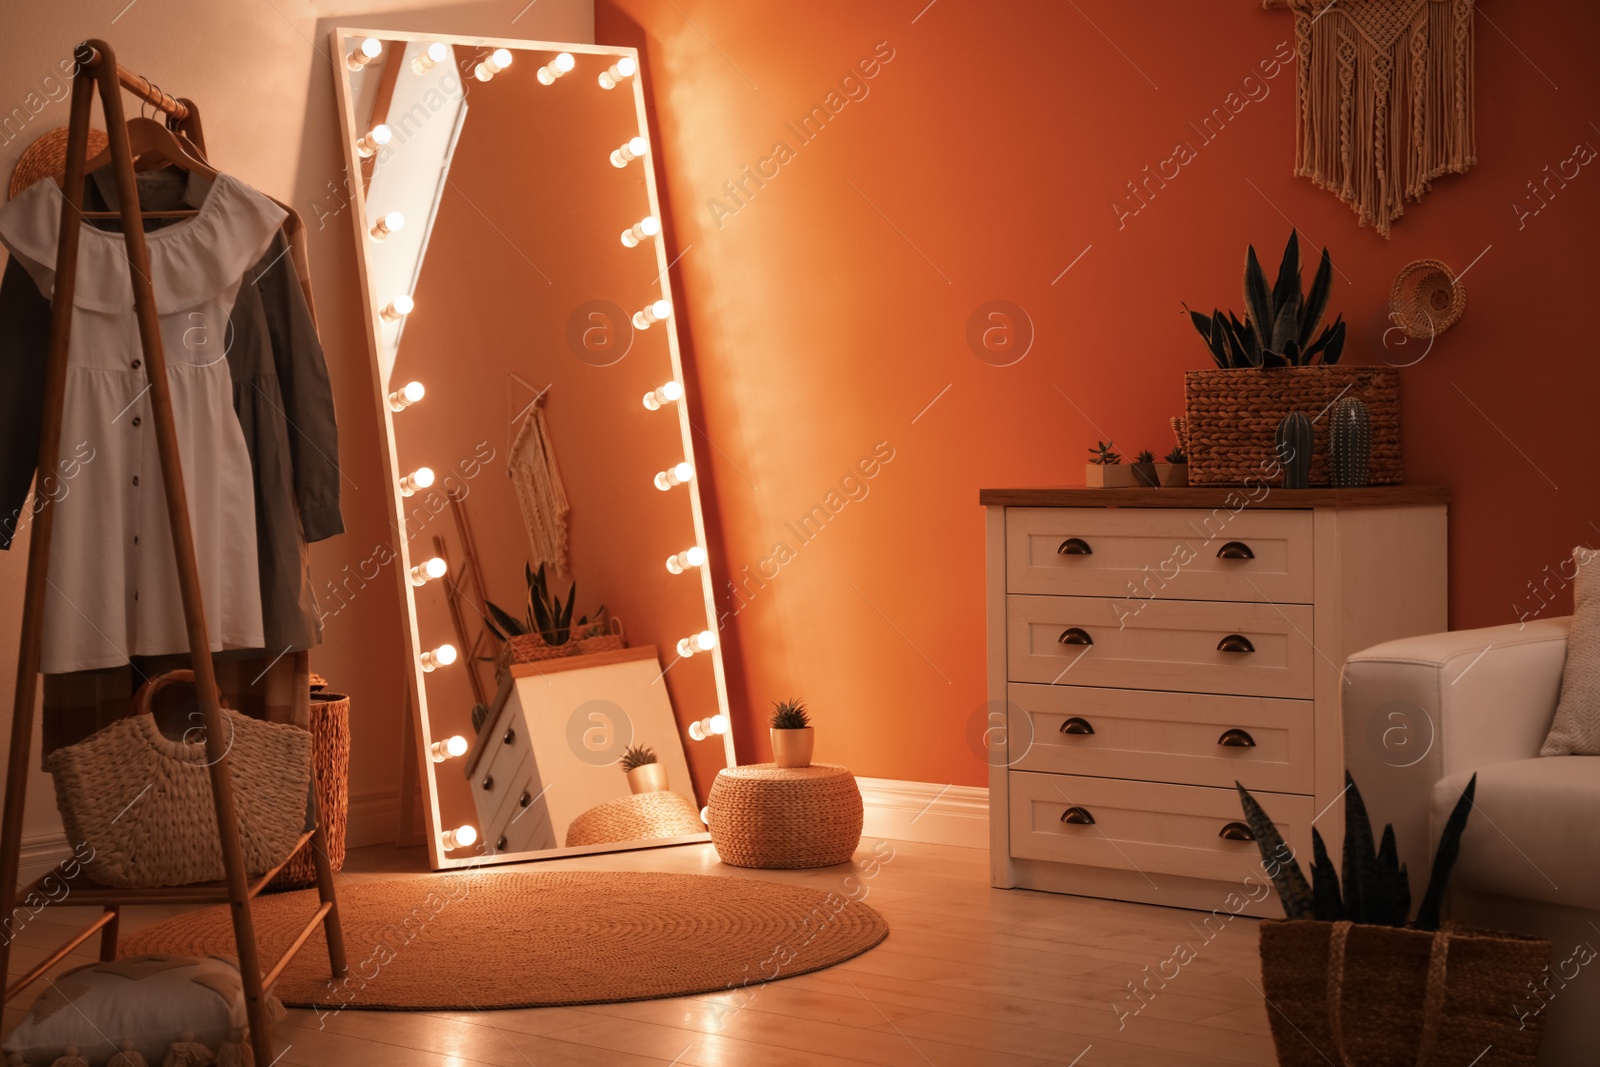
1156, 553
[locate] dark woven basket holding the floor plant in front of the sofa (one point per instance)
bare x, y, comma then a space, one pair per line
1362, 996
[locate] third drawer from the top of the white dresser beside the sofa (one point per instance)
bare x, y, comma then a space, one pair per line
1162, 737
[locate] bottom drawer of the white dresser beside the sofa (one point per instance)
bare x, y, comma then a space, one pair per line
1146, 828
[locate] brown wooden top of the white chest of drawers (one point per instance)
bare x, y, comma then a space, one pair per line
1231, 497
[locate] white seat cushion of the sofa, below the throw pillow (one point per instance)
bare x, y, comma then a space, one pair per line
1532, 833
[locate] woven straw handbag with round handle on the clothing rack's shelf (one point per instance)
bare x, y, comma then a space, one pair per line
143, 802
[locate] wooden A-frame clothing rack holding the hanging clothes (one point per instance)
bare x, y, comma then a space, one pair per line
98, 70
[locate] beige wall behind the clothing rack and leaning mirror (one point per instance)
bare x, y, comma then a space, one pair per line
263, 81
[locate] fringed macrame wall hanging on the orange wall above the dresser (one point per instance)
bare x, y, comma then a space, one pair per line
1383, 98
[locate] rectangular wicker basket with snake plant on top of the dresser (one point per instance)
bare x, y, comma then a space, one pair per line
1273, 364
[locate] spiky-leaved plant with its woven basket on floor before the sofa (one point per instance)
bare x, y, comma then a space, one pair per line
1351, 981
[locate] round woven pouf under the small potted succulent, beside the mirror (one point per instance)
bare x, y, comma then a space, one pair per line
772, 817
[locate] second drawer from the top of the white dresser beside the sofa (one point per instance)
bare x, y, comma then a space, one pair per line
1161, 645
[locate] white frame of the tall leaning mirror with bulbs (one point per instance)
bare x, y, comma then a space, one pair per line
422, 735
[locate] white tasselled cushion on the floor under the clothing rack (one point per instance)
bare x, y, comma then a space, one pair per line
146, 1002
